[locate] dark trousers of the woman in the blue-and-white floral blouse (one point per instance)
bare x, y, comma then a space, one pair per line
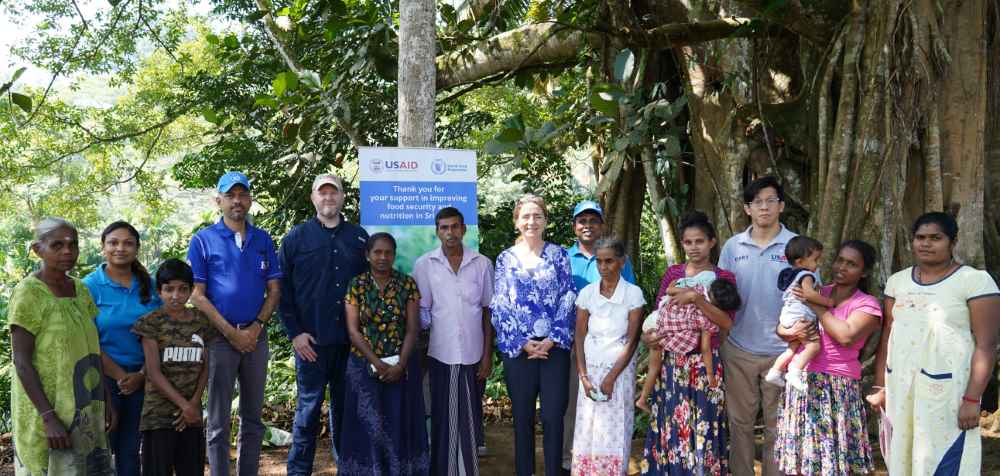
527, 380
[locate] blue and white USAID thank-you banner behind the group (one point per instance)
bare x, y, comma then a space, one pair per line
403, 188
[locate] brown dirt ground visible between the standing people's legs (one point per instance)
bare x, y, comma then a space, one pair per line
500, 460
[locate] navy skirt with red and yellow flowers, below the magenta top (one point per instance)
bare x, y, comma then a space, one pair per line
688, 432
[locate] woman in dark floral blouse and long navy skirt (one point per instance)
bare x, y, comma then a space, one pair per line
383, 405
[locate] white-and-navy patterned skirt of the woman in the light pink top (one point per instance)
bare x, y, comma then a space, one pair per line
823, 431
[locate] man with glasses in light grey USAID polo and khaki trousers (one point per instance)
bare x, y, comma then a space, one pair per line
756, 257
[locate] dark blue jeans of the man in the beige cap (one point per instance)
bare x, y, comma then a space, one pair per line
312, 379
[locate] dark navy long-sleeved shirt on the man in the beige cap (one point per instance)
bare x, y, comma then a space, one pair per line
319, 263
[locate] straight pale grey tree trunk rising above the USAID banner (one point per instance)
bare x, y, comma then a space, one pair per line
416, 73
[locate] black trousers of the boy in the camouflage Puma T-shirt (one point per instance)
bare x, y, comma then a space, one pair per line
168, 452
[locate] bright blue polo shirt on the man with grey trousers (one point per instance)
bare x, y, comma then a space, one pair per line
235, 279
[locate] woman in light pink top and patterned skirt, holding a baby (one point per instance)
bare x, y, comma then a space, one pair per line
822, 430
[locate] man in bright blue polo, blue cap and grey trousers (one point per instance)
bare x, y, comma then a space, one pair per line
237, 285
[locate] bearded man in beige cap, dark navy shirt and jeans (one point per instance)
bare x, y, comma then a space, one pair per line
319, 258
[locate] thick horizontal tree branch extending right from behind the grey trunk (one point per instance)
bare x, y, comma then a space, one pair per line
545, 43
